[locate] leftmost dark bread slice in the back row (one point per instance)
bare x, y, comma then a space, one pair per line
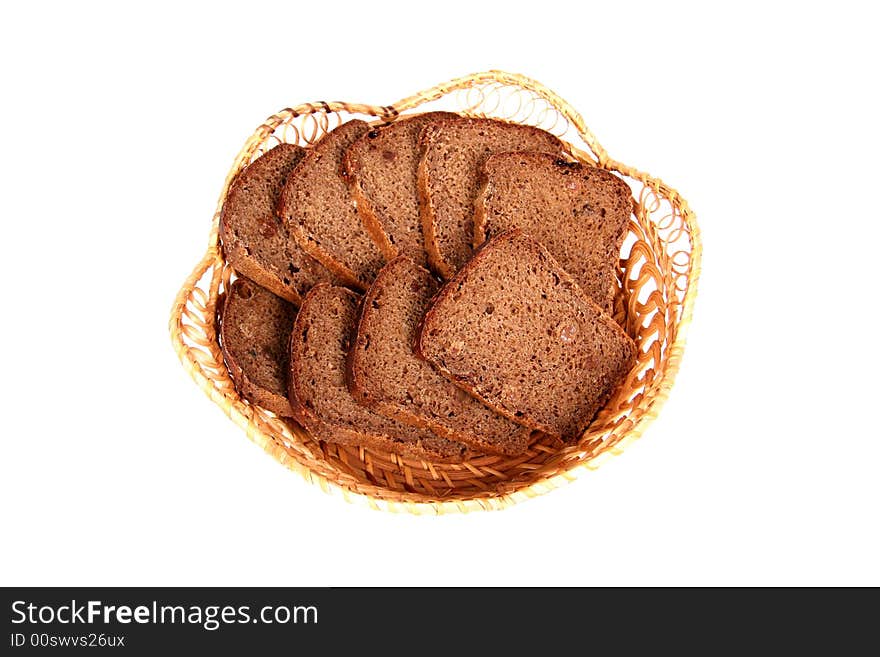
255, 241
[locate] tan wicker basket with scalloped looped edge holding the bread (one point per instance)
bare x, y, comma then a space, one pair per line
658, 275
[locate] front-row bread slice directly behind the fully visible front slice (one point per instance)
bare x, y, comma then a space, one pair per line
385, 374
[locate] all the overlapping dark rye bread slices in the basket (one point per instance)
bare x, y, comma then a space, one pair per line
437, 287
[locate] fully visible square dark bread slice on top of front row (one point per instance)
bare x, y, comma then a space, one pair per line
515, 330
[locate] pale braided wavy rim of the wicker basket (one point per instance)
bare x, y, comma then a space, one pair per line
255, 421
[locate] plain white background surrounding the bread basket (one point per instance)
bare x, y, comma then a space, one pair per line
118, 127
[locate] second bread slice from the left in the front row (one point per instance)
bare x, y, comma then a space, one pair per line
319, 344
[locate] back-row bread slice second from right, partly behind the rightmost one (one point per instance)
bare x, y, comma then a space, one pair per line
454, 151
